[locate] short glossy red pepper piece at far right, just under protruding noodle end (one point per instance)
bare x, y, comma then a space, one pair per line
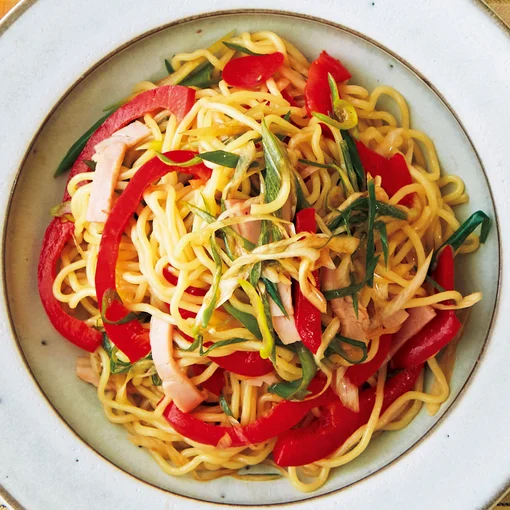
438, 333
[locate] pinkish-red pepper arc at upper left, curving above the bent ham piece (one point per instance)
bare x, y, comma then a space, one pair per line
175, 98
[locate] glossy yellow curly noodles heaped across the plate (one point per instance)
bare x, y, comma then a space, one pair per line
168, 232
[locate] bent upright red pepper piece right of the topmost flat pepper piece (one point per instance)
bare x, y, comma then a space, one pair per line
317, 91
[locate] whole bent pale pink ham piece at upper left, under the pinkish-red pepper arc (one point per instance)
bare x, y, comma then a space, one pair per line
109, 157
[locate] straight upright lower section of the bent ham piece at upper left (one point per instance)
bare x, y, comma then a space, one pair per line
106, 174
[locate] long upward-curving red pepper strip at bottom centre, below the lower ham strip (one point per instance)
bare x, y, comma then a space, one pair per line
282, 417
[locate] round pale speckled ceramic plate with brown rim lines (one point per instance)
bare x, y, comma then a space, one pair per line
61, 63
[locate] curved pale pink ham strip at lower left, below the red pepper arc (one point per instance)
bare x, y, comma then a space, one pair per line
176, 384
